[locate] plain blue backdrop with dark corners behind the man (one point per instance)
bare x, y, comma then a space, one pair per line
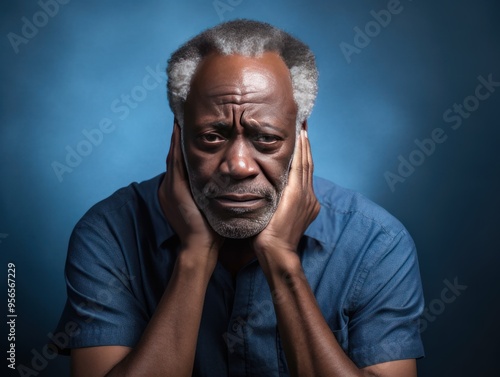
369, 111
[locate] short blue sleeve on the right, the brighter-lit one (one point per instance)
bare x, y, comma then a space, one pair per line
385, 324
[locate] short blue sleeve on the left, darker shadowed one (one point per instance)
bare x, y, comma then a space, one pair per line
101, 308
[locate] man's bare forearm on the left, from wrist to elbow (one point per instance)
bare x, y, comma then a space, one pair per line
167, 346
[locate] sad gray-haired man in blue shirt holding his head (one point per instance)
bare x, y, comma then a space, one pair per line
236, 262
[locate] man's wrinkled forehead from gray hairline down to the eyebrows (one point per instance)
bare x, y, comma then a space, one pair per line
261, 85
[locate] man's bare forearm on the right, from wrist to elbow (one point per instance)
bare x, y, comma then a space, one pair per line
310, 346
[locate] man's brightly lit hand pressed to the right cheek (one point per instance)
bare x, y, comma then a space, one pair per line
298, 206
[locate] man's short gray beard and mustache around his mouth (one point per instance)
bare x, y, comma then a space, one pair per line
237, 227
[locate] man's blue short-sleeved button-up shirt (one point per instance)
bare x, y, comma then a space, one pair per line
359, 261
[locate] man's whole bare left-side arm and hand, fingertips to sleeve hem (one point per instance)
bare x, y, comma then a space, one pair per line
168, 344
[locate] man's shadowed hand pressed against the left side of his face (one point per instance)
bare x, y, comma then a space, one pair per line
183, 215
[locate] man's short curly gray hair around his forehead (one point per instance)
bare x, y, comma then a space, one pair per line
247, 38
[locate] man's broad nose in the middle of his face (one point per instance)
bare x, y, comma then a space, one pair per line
238, 162
